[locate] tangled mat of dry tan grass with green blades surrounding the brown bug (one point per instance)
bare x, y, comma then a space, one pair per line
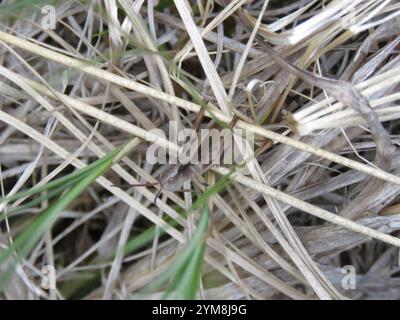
320, 191
